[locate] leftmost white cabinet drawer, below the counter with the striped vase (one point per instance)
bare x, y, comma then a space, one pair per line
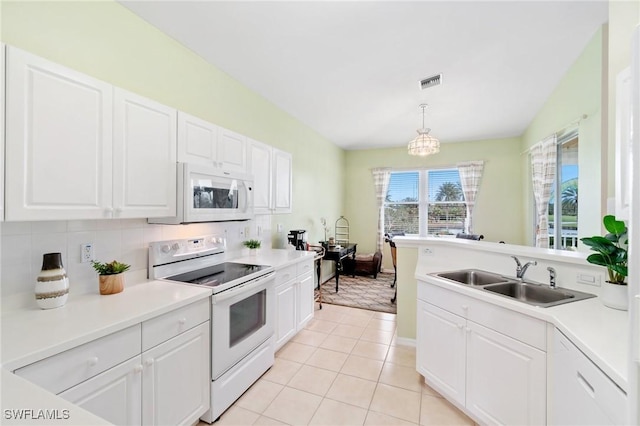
67, 369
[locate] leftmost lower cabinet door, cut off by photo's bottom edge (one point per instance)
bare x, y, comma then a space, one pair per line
115, 395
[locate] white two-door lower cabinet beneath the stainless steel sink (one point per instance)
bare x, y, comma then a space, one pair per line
487, 360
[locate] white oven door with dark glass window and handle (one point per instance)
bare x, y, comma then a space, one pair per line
242, 318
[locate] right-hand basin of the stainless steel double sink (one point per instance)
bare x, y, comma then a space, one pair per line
537, 294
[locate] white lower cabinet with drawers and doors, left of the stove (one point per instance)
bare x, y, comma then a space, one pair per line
153, 373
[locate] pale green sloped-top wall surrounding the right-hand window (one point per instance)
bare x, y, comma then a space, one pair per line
579, 92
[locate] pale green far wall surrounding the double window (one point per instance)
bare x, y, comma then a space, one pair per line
500, 186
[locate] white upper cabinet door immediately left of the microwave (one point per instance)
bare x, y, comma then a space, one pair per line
144, 157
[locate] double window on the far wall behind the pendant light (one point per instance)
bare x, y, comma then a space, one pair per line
425, 202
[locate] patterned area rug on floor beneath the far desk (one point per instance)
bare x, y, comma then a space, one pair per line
361, 292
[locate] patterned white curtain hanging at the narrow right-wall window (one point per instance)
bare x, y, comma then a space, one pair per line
543, 174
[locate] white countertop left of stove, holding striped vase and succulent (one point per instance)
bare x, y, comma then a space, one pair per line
31, 334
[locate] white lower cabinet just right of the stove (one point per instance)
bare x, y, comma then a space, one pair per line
294, 300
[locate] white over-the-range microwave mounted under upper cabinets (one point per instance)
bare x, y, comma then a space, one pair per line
207, 194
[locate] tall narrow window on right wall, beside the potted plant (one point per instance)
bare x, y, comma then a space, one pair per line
563, 204
